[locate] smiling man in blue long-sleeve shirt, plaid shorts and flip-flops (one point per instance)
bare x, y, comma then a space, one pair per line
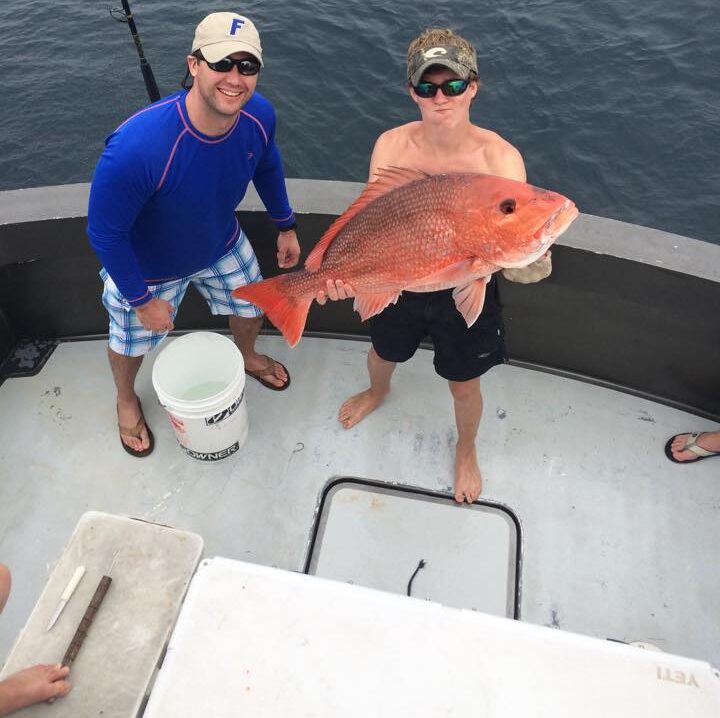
162, 210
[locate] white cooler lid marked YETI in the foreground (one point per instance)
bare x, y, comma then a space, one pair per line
255, 641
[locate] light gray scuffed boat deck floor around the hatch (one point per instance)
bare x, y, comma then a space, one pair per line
618, 542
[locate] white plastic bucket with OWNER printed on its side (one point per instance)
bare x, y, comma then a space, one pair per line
200, 380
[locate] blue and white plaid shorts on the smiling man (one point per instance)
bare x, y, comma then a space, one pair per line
239, 266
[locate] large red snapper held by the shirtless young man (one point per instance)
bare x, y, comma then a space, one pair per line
412, 231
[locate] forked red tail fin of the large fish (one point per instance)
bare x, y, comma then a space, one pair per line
286, 311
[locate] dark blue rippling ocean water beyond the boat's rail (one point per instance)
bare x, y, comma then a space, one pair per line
615, 104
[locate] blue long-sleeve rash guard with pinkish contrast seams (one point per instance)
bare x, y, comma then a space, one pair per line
163, 196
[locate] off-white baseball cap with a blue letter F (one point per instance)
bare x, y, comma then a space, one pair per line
221, 34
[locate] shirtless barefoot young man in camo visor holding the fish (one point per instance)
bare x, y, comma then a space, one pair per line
442, 81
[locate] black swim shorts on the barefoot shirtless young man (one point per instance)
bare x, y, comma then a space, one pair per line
461, 352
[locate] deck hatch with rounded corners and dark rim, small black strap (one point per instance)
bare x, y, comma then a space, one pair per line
375, 534
